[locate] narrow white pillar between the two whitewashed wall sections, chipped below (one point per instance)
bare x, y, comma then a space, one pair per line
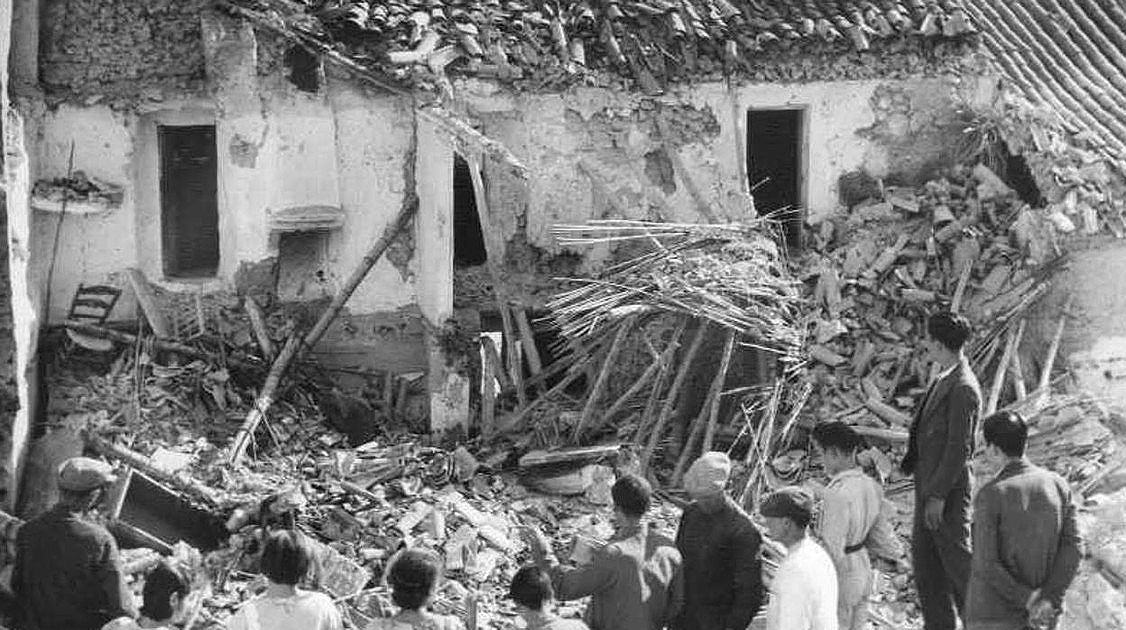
434, 176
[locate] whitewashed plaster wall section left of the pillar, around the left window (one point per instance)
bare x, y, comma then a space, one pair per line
342, 150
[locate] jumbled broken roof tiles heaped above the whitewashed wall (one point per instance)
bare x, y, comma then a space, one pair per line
547, 46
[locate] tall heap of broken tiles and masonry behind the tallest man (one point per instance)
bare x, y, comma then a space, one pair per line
964, 242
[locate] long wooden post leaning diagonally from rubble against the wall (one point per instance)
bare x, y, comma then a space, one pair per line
297, 346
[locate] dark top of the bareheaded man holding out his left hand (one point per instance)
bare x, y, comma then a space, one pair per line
635, 583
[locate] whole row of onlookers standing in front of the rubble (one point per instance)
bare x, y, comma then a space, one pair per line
1005, 566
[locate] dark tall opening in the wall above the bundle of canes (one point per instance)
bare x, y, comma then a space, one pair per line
774, 160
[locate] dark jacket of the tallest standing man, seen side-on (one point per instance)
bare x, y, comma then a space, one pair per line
942, 439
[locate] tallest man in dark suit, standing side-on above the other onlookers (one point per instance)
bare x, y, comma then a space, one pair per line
940, 449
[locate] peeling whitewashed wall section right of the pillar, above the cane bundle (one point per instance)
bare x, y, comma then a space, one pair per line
847, 127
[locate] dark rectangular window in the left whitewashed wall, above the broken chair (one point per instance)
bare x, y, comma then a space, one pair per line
190, 201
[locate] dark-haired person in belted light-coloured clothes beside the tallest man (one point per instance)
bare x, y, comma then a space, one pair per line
853, 523
